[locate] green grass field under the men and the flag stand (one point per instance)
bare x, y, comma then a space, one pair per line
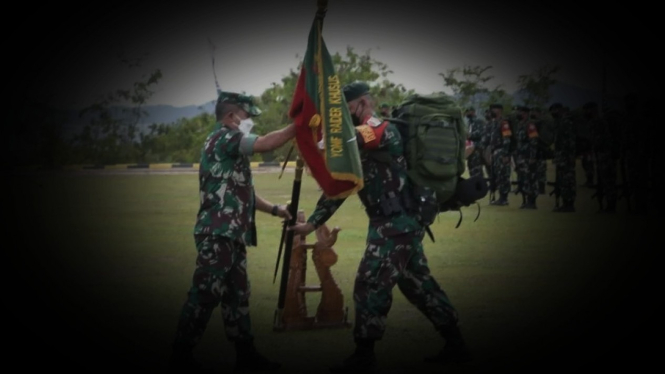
100, 265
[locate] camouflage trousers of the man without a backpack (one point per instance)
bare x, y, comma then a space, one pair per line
220, 277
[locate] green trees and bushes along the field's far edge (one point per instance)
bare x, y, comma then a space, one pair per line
112, 135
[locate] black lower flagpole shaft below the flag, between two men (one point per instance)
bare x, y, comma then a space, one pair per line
288, 240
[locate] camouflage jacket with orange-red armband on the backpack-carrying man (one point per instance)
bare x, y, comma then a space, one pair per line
380, 180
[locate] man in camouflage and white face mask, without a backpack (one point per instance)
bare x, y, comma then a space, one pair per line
225, 226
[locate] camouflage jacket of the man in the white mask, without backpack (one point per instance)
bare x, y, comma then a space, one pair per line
226, 187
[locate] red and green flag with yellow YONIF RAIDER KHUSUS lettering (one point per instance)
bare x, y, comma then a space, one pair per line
325, 135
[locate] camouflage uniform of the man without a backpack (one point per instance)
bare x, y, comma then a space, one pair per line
225, 225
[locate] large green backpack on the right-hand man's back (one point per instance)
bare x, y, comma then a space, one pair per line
434, 137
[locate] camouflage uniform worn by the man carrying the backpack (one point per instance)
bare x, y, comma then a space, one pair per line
394, 252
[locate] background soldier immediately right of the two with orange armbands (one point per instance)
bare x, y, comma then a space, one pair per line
564, 158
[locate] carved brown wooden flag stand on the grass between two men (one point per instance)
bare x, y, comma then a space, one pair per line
331, 312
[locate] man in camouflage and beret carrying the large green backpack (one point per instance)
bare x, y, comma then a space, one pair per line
394, 253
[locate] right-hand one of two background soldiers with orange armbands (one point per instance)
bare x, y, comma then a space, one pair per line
526, 155
